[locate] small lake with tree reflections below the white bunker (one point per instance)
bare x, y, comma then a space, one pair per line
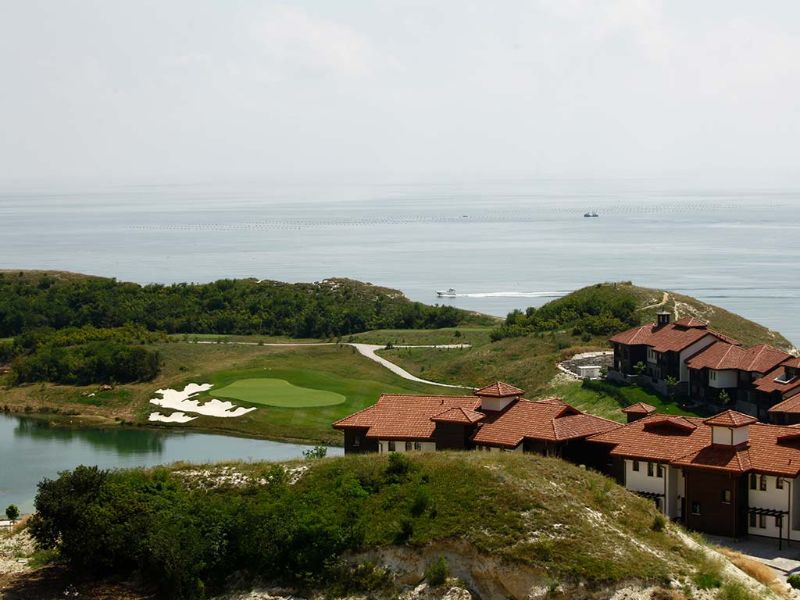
31, 449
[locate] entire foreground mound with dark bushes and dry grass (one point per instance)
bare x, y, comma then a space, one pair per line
307, 525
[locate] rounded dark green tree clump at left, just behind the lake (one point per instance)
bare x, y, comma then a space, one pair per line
82, 356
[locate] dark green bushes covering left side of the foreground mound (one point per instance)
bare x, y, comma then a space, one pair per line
187, 539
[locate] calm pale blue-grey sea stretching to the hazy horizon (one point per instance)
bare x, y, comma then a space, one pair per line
501, 245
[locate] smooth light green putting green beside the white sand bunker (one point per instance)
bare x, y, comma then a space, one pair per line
277, 392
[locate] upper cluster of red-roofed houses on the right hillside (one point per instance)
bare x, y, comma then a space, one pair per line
761, 381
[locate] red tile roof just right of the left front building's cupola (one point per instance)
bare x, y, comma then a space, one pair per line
544, 421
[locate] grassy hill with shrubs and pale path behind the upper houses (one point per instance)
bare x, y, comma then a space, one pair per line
527, 347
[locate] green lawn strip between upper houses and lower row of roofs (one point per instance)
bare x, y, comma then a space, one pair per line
606, 399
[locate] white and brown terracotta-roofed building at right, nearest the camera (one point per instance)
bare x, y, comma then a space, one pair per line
728, 475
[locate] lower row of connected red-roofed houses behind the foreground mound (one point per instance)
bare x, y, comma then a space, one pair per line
727, 475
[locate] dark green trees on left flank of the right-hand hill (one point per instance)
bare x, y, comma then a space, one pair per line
598, 310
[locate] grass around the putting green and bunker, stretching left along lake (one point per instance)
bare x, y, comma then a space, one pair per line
338, 369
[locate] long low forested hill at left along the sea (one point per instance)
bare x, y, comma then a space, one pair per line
334, 307
